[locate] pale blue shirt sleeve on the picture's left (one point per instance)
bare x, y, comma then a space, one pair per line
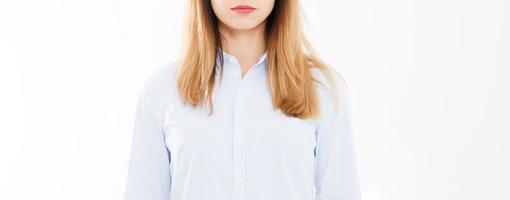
148, 172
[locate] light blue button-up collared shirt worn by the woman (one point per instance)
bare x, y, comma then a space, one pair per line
246, 150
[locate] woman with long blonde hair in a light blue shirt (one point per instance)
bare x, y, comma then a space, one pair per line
247, 113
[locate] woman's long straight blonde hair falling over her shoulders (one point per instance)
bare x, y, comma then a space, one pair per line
289, 53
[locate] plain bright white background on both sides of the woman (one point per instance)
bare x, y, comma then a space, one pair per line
429, 84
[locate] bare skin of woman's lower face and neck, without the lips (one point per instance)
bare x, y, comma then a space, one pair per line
244, 33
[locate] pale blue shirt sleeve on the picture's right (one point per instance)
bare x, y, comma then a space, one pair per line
336, 171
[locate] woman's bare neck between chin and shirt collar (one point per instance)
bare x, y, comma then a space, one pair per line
246, 45
